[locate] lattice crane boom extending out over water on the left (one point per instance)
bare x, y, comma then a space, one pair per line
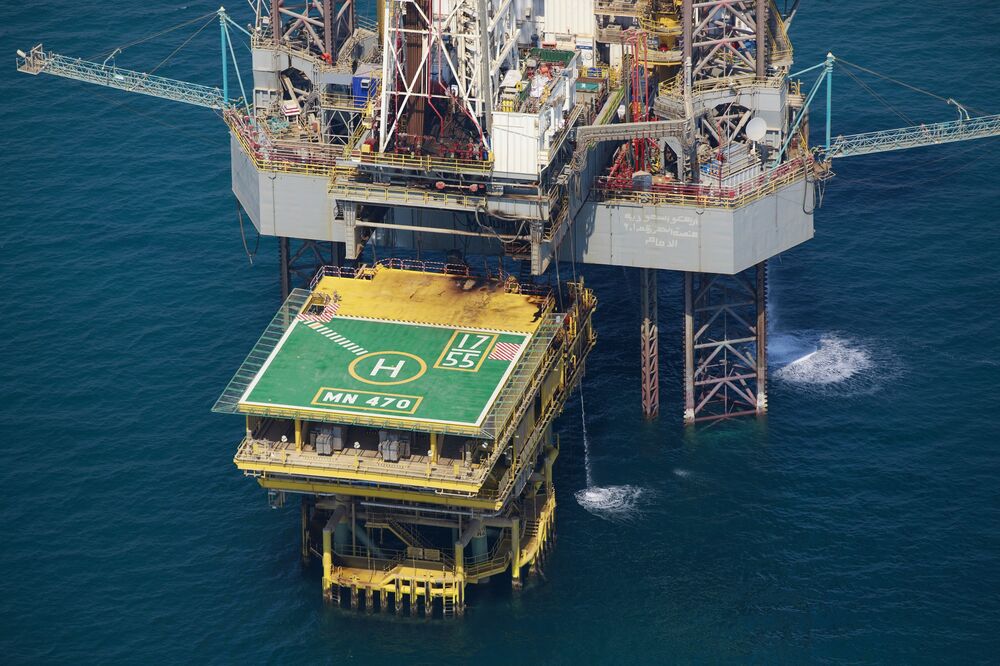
37, 61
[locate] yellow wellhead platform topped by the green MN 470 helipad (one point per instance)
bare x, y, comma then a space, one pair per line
410, 407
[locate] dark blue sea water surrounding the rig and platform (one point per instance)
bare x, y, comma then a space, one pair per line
858, 523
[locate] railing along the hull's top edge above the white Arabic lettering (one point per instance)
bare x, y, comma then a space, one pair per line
704, 196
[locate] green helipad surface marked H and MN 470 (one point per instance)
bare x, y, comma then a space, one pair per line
392, 369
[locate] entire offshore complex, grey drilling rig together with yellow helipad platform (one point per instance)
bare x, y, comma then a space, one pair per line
410, 404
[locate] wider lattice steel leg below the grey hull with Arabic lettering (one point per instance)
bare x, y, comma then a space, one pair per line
725, 344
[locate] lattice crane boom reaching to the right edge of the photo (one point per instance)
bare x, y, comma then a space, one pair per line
914, 137
